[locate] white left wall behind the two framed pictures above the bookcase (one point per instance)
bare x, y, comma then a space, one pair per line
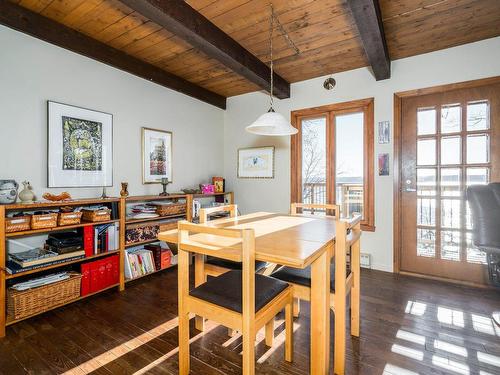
32, 72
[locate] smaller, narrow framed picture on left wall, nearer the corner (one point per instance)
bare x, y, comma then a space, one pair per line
156, 155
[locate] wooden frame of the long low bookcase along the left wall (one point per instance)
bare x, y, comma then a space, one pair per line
123, 222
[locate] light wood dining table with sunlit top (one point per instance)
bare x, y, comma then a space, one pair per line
295, 241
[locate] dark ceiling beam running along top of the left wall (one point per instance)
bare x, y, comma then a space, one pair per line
28, 22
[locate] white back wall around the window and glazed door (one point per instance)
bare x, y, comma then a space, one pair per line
467, 62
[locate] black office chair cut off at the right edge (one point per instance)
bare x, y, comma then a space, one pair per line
484, 203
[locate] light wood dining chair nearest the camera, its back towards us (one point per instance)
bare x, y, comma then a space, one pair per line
238, 299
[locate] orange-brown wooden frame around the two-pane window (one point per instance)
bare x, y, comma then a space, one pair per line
367, 107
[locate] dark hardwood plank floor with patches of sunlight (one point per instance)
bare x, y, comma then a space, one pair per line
408, 326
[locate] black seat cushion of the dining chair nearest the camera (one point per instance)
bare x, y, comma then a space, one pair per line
226, 290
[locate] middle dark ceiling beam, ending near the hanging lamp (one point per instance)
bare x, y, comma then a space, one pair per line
179, 18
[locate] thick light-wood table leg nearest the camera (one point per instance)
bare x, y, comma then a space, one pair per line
320, 315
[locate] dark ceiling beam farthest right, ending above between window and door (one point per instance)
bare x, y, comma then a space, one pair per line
368, 19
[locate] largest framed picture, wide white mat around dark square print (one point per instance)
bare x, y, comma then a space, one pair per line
80, 147
